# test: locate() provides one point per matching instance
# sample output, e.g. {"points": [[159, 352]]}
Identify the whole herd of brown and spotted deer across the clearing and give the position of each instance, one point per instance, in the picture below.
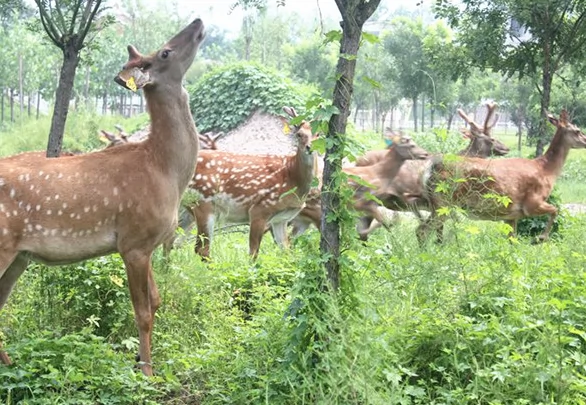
{"points": [[125, 198]]}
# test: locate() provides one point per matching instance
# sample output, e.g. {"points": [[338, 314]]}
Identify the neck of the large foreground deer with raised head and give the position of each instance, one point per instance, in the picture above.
{"points": [[176, 154]]}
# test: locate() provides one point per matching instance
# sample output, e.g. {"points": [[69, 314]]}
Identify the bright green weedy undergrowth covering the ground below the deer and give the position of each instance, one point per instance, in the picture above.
{"points": [[479, 320]]}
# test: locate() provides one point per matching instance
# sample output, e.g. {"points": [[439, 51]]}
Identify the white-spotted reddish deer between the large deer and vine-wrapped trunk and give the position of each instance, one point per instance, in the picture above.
{"points": [[258, 190]]}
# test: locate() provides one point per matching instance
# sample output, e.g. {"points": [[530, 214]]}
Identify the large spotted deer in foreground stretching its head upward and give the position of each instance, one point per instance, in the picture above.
{"points": [[59, 211]]}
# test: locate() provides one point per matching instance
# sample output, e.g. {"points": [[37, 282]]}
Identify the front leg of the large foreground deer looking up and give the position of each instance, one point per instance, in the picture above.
{"points": [[145, 300]]}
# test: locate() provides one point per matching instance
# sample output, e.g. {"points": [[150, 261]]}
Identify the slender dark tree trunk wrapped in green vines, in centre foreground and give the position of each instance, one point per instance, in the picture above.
{"points": [[354, 15]]}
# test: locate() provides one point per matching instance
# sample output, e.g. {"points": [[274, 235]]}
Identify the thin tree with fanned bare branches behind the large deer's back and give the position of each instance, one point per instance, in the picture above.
{"points": [[67, 24]]}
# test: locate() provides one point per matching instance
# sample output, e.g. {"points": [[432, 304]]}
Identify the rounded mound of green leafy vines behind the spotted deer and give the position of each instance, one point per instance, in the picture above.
{"points": [[224, 98]]}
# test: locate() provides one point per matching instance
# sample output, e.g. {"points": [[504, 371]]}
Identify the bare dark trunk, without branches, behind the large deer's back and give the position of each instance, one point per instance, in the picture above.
{"points": [[62, 97]]}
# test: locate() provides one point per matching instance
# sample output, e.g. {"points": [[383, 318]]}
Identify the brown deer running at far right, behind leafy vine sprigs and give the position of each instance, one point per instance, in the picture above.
{"points": [[502, 189]]}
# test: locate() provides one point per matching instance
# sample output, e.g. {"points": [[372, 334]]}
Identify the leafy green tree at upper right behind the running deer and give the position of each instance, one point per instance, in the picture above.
{"points": [[534, 38]]}
